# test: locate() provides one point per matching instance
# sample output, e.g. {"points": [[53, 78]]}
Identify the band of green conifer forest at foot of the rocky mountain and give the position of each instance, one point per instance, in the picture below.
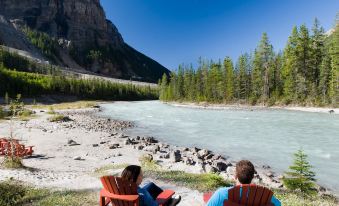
{"points": [[16, 77]]}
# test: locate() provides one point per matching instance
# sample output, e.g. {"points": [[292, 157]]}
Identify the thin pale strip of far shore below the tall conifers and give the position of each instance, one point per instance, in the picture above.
{"points": [[252, 107]]}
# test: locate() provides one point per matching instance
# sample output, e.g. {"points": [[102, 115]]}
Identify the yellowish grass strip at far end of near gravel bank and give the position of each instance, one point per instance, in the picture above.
{"points": [[67, 105]]}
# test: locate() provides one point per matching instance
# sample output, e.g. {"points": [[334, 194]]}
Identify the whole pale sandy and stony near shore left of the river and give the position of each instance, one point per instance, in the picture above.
{"points": [[100, 142]]}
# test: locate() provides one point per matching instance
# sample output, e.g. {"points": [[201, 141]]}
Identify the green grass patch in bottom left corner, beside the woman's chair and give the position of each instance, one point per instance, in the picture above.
{"points": [[14, 193]]}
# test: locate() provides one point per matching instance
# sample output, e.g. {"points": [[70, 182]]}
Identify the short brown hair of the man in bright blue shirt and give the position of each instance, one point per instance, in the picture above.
{"points": [[245, 171]]}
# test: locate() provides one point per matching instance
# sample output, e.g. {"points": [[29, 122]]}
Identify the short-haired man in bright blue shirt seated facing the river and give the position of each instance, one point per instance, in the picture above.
{"points": [[244, 175]]}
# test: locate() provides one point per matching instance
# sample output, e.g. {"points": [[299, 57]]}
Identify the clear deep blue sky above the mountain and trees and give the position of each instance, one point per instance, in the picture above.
{"points": [[180, 31]]}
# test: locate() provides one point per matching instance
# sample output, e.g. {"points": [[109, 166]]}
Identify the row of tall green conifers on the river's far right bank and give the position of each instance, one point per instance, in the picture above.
{"points": [[306, 72]]}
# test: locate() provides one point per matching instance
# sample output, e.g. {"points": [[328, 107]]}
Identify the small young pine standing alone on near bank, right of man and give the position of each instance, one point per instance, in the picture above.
{"points": [[300, 177]]}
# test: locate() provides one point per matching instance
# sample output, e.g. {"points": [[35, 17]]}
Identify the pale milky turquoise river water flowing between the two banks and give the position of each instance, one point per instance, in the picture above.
{"points": [[265, 136]]}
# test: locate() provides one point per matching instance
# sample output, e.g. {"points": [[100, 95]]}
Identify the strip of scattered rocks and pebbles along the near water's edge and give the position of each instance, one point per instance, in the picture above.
{"points": [[170, 157]]}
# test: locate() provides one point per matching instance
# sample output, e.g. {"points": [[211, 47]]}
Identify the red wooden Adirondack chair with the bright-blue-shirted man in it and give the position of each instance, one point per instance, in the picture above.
{"points": [[256, 196]]}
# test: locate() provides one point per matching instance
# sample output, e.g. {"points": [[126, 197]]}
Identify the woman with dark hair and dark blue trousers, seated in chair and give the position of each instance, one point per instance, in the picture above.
{"points": [[147, 193]]}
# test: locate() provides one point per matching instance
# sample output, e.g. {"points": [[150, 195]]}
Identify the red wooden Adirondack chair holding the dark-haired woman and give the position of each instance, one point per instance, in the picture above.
{"points": [[123, 193]]}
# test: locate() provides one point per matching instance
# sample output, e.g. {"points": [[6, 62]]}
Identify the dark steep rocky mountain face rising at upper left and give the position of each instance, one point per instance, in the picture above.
{"points": [[84, 36]]}
